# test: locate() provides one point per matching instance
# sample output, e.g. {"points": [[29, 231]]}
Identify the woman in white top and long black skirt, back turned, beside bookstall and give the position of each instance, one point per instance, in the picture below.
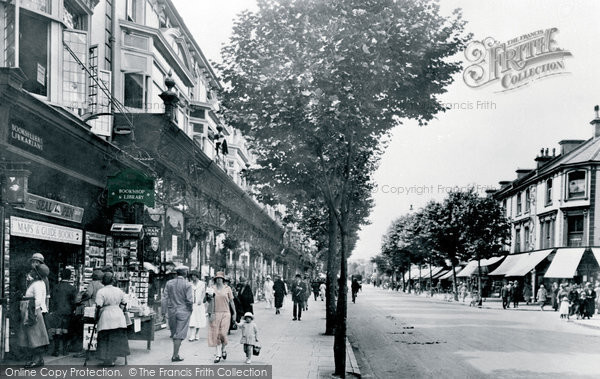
{"points": [[111, 325]]}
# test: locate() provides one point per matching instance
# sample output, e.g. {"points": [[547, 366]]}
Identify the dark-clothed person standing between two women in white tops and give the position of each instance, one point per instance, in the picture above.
{"points": [[62, 307]]}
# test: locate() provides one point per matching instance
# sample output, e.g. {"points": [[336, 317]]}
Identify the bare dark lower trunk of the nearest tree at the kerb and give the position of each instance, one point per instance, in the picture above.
{"points": [[339, 346]]}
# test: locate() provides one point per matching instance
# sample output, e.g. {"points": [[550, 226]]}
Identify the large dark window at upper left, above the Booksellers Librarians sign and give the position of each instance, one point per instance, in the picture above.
{"points": [[33, 53]]}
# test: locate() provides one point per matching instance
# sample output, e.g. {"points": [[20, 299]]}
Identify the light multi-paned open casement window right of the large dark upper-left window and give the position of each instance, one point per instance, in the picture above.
{"points": [[74, 77]]}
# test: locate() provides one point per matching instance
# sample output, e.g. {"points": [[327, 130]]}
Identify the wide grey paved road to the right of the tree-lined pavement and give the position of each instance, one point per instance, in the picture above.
{"points": [[404, 336]]}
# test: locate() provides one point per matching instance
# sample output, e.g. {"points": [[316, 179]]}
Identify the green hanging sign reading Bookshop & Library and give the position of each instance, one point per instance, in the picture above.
{"points": [[131, 187]]}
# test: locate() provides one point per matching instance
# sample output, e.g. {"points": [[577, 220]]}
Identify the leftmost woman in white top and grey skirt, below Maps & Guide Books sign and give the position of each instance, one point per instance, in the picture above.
{"points": [[32, 328]]}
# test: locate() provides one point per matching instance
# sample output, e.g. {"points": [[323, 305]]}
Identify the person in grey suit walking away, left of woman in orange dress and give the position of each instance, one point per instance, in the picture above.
{"points": [[177, 302]]}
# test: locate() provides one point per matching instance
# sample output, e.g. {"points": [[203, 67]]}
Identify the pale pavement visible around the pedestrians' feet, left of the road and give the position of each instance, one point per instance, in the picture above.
{"points": [[295, 349]]}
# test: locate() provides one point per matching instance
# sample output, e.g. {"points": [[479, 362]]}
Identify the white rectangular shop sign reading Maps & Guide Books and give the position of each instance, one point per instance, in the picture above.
{"points": [[22, 227]]}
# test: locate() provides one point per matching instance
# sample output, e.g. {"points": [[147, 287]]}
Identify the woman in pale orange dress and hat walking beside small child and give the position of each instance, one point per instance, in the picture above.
{"points": [[221, 311]]}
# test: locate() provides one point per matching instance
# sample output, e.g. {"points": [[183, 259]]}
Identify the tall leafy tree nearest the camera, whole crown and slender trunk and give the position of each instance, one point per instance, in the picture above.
{"points": [[318, 85]]}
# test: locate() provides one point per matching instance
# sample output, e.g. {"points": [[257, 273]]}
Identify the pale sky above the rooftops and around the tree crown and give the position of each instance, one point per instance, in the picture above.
{"points": [[488, 133]]}
